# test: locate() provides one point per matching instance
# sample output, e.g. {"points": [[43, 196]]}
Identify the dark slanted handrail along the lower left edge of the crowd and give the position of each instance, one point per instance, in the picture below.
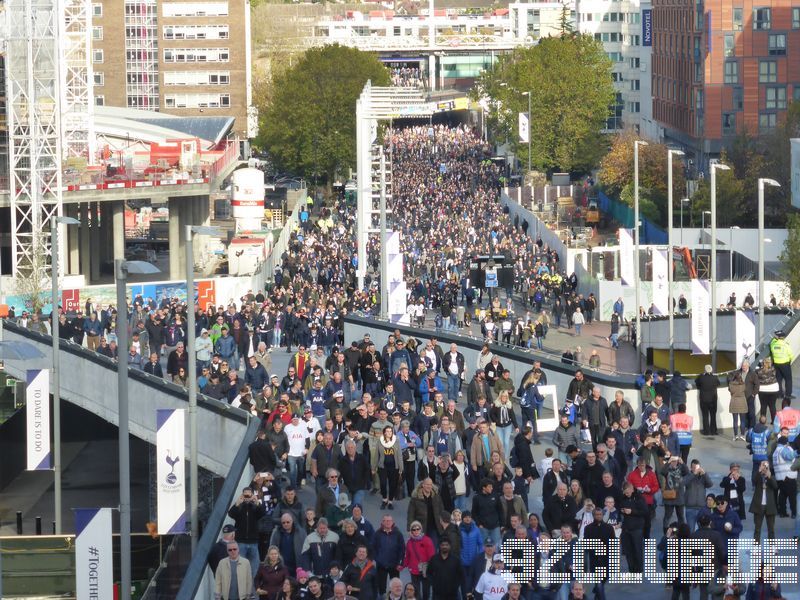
{"points": [[197, 567]]}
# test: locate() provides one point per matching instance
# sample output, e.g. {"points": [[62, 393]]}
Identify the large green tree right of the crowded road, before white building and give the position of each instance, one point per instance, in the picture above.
{"points": [[569, 78]]}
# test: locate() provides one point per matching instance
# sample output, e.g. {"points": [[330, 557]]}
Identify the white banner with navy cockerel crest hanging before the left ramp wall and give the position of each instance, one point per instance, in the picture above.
{"points": [[171, 470]]}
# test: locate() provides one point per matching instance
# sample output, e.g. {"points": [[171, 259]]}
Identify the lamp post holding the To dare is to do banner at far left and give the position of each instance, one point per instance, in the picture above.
{"points": [[54, 334]]}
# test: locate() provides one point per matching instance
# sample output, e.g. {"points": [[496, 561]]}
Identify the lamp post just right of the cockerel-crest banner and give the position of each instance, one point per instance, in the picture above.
{"points": [[191, 335]]}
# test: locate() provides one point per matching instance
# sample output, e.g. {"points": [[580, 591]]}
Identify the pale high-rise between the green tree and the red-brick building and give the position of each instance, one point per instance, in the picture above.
{"points": [[623, 29]]}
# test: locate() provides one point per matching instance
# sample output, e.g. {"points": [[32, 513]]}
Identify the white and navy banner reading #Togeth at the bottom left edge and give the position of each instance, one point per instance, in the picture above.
{"points": [[94, 556]]}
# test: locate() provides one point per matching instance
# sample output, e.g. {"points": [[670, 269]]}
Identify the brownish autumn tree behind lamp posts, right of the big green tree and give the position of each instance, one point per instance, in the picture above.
{"points": [[617, 173]]}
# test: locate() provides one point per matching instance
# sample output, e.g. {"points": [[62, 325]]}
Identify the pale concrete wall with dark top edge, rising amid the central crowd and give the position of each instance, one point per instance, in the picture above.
{"points": [[519, 360]]}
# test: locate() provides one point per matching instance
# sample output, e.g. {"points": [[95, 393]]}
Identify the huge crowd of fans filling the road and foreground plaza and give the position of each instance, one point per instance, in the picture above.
{"points": [[454, 446]]}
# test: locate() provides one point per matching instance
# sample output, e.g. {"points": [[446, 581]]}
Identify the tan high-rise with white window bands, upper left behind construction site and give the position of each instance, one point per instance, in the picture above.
{"points": [[177, 57]]}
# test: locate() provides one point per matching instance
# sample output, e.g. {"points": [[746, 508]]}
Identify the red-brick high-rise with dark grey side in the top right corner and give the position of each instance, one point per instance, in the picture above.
{"points": [[723, 65]]}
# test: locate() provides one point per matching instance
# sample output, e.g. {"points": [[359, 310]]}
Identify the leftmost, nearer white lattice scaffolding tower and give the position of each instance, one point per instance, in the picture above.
{"points": [[34, 129]]}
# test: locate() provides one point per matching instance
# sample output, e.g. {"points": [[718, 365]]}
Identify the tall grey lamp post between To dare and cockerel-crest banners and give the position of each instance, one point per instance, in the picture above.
{"points": [[121, 270]]}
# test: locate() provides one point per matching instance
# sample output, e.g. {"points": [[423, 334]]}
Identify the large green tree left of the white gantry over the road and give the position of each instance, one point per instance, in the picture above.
{"points": [[308, 123]]}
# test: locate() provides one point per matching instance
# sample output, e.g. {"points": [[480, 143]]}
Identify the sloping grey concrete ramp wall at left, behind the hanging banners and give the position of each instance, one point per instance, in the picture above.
{"points": [[90, 381]]}
